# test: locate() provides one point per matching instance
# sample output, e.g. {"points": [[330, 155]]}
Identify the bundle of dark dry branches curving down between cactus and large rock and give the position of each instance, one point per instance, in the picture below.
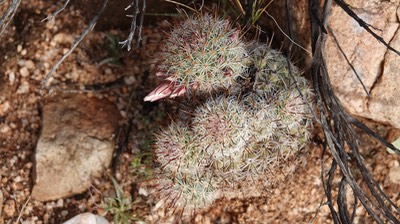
{"points": [[339, 133]]}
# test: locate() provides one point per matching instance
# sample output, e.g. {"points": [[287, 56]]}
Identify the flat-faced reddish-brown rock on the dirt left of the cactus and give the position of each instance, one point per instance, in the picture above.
{"points": [[75, 145]]}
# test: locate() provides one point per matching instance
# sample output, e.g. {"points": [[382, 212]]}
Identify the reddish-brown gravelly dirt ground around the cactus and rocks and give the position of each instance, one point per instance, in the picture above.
{"points": [[30, 48]]}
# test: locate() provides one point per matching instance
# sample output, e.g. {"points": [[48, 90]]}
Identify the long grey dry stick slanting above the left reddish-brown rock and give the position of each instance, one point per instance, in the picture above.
{"points": [[76, 43]]}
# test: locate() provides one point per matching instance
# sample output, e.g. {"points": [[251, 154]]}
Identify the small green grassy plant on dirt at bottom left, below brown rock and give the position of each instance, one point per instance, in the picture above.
{"points": [[120, 206]]}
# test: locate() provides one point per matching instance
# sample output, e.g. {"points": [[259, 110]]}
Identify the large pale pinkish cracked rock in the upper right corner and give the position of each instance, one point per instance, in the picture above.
{"points": [[377, 67]]}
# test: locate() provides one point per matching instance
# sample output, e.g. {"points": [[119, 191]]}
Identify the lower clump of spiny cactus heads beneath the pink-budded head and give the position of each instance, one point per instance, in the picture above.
{"points": [[231, 140]]}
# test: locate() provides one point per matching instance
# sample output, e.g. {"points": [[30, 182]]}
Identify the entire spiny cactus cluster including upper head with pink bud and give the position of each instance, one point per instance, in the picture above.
{"points": [[232, 137]]}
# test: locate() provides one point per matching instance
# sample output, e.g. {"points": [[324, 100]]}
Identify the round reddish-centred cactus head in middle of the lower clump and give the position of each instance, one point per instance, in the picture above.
{"points": [[222, 124]]}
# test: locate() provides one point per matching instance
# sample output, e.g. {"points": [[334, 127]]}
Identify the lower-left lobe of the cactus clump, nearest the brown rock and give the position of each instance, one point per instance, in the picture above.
{"points": [[185, 181]]}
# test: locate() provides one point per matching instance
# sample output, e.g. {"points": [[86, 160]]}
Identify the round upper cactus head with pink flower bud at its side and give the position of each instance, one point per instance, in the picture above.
{"points": [[204, 53]]}
